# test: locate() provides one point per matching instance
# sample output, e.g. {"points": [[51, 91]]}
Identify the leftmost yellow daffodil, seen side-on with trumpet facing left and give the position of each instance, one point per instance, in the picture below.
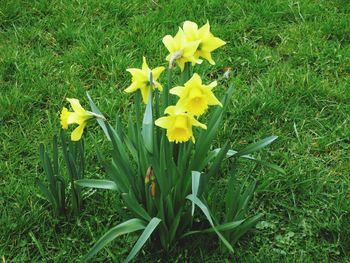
{"points": [[79, 116]]}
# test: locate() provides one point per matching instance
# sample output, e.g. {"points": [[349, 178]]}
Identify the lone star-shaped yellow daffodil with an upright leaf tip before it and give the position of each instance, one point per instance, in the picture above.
{"points": [[142, 78]]}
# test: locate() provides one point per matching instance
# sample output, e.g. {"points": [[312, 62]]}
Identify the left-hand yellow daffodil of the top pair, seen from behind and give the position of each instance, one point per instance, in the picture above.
{"points": [[180, 49]]}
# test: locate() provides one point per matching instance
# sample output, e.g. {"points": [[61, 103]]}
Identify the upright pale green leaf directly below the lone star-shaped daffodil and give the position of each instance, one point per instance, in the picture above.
{"points": [[147, 125]]}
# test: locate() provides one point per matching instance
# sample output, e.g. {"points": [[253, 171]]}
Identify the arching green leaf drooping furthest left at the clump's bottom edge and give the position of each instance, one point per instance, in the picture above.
{"points": [[129, 226]]}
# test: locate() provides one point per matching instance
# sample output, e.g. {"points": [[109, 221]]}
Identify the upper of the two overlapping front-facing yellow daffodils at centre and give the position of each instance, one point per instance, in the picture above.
{"points": [[195, 97]]}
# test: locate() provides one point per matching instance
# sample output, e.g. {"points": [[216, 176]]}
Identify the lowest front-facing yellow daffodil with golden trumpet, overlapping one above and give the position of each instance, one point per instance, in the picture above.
{"points": [[178, 124]]}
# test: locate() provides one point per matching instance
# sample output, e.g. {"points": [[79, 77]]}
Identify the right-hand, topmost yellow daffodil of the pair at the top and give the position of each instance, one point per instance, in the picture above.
{"points": [[208, 42]]}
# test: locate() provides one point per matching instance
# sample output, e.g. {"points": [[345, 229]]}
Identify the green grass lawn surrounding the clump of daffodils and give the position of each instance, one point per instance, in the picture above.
{"points": [[291, 65]]}
